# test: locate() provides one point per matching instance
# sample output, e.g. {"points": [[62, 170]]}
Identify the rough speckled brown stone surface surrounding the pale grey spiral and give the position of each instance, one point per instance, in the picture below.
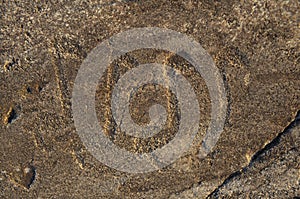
{"points": [[254, 44]]}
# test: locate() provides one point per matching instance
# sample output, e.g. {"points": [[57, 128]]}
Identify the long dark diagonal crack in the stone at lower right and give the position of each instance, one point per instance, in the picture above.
{"points": [[256, 157]]}
